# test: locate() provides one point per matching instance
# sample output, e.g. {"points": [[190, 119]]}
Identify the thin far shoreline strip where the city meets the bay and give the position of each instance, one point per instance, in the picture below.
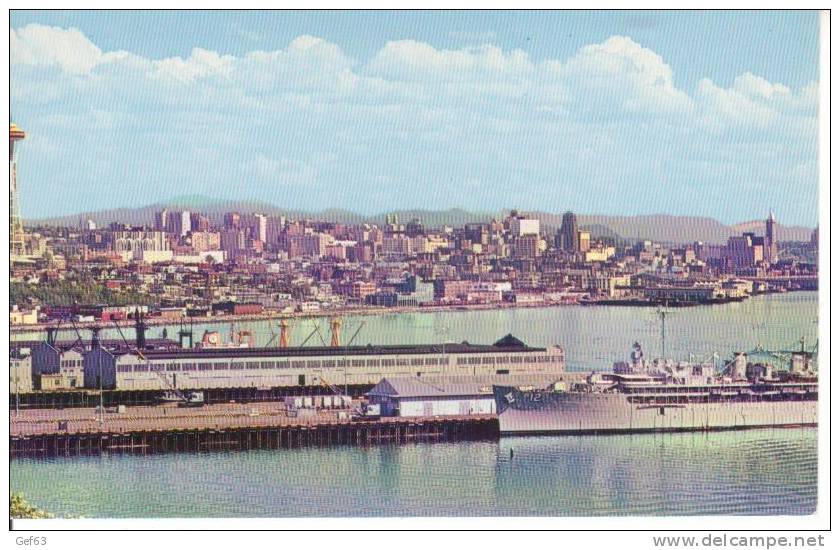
{"points": [[343, 312]]}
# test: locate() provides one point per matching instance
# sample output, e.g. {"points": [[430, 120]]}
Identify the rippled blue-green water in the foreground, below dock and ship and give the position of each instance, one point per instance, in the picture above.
{"points": [[760, 472]]}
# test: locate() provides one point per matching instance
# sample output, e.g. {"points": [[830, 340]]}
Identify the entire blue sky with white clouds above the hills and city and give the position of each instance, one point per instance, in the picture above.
{"points": [[622, 113]]}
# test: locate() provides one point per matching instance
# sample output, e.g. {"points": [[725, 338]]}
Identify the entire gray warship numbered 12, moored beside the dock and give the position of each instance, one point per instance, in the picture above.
{"points": [[666, 396]]}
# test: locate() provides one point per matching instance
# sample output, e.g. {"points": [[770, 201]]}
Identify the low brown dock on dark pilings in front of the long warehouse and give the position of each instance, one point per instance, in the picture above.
{"points": [[148, 430]]}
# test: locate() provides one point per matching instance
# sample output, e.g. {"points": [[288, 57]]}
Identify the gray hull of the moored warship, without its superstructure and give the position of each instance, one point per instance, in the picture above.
{"points": [[546, 412]]}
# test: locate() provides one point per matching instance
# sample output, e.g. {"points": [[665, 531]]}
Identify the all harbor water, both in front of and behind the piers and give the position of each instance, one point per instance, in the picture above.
{"points": [[764, 472]]}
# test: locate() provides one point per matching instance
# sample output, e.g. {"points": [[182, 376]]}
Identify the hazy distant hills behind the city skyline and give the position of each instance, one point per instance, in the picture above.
{"points": [[658, 227]]}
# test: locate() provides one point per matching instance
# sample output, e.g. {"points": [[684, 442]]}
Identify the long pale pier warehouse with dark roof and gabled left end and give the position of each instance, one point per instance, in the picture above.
{"points": [[79, 374]]}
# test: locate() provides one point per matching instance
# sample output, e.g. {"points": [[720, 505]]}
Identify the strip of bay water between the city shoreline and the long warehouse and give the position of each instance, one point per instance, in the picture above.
{"points": [[594, 336]]}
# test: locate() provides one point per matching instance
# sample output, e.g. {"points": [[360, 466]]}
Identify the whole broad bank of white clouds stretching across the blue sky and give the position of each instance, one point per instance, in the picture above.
{"points": [[450, 115]]}
